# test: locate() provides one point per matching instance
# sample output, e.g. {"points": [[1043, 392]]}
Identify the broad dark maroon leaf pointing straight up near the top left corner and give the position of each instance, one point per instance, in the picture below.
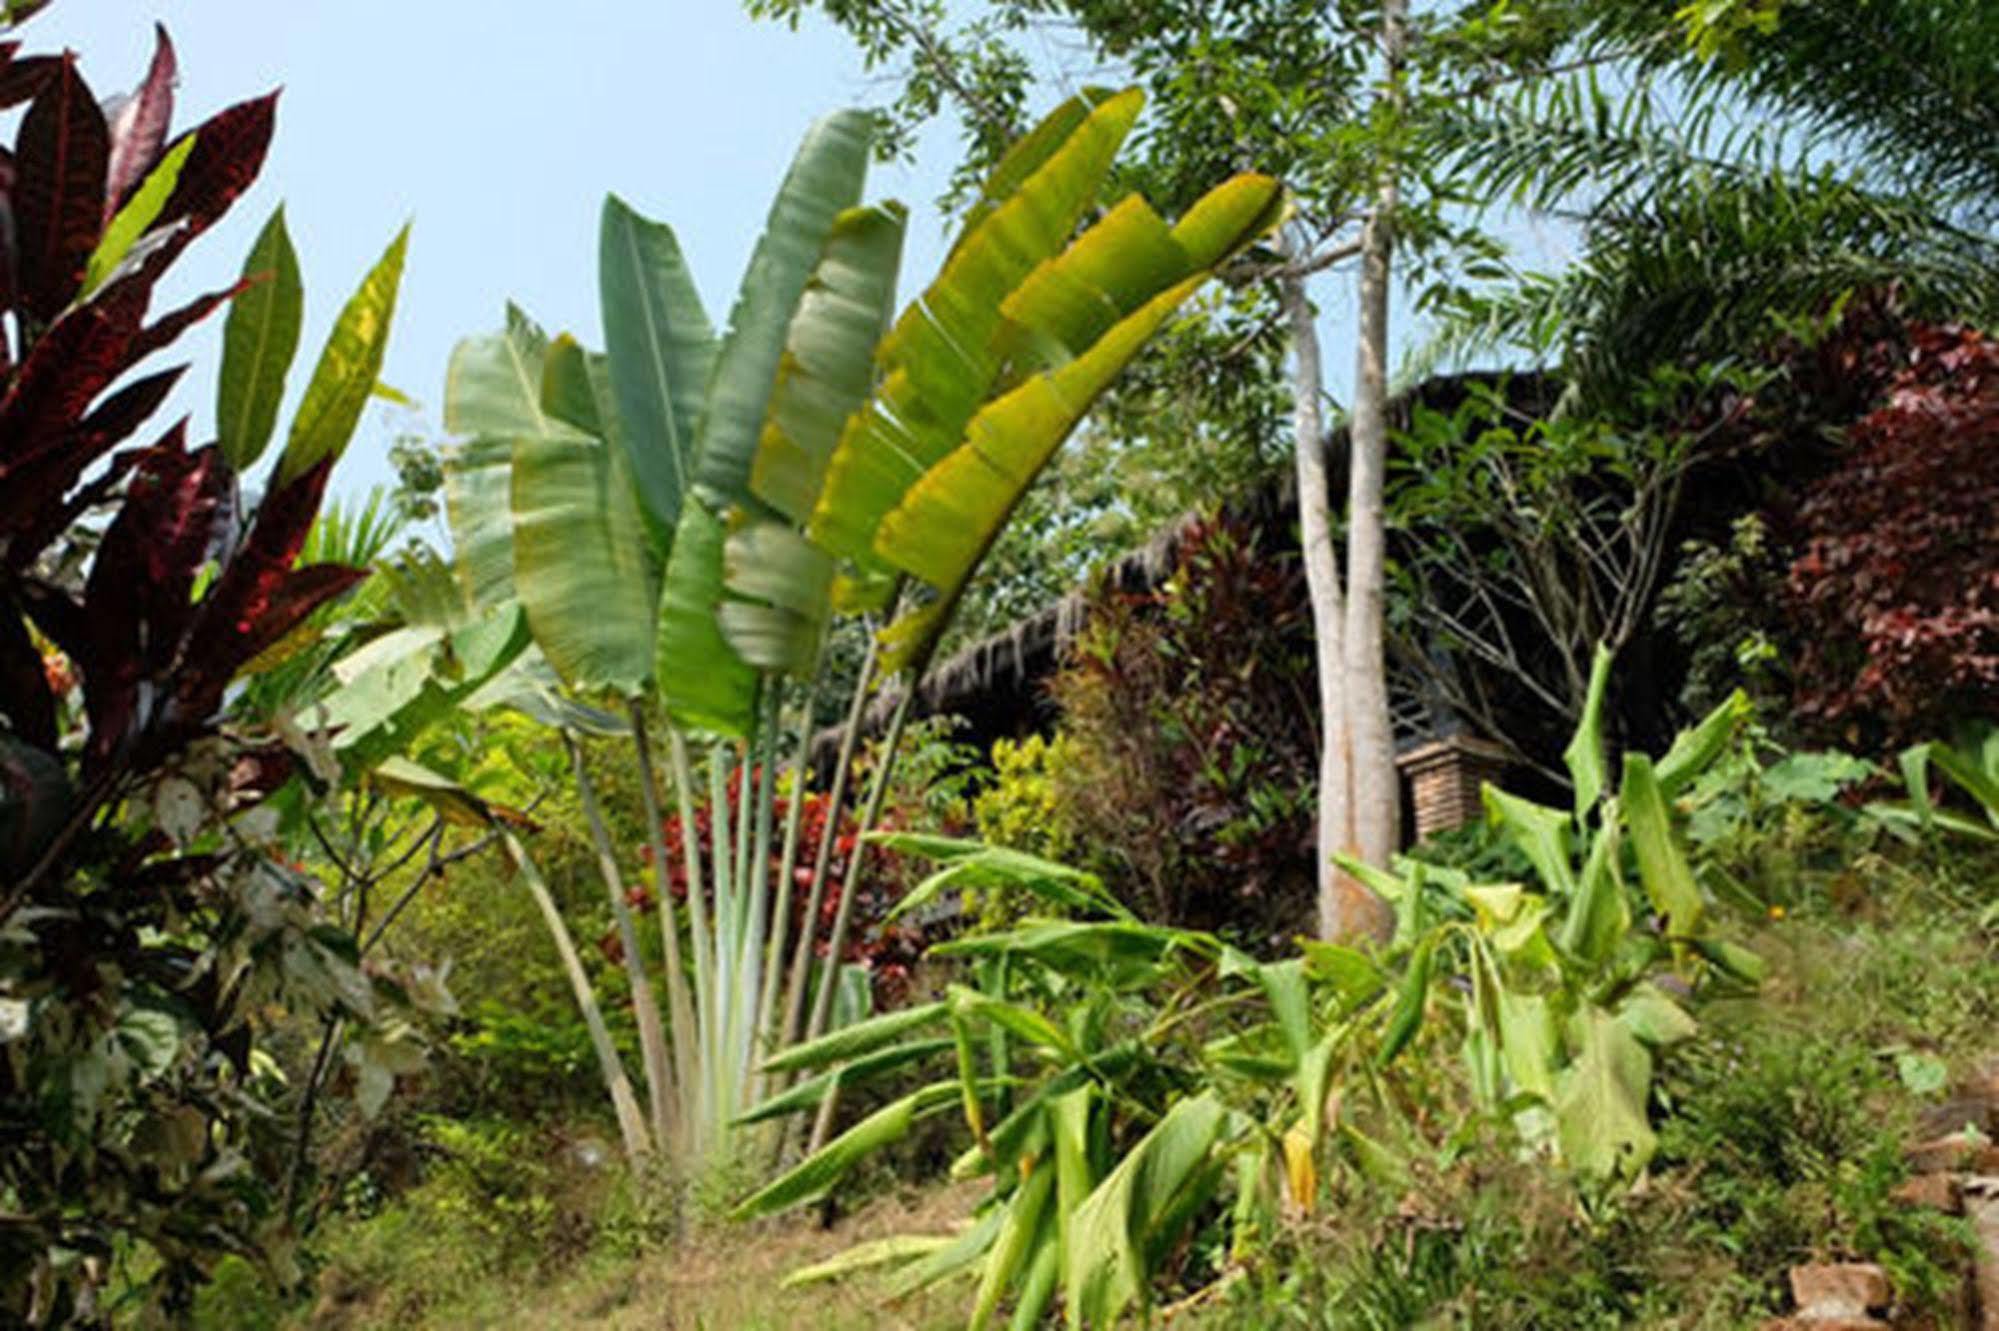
{"points": [[59, 201]]}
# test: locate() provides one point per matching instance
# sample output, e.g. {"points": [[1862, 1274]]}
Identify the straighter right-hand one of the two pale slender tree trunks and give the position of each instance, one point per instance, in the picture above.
{"points": [[1372, 742]]}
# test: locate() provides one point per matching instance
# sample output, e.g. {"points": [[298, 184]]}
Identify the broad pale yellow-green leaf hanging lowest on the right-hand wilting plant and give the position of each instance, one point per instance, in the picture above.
{"points": [[1600, 1104]]}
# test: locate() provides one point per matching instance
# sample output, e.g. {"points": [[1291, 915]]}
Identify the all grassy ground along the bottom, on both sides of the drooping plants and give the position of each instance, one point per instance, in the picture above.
{"points": [[1780, 1142]]}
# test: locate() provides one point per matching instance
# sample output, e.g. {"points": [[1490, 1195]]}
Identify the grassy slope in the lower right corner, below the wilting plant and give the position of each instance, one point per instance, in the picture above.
{"points": [[1782, 1132]]}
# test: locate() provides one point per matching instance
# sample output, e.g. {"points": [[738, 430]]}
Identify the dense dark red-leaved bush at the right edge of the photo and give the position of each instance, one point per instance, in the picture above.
{"points": [[1896, 583]]}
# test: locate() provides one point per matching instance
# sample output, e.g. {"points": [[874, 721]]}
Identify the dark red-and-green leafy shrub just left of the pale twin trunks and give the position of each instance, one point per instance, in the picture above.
{"points": [[1186, 740]]}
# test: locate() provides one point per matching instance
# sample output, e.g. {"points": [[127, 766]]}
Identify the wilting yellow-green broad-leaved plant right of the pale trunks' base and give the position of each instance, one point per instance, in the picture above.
{"points": [[1576, 980]]}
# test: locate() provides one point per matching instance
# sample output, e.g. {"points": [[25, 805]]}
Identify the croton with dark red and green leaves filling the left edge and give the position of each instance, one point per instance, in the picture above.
{"points": [[147, 926]]}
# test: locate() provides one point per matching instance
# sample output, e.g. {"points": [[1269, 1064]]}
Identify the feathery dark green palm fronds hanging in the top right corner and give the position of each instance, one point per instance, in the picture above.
{"points": [[1716, 197]]}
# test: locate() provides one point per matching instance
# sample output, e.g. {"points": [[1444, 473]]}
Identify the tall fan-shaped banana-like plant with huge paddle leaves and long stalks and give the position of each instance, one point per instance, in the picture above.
{"points": [[683, 517]]}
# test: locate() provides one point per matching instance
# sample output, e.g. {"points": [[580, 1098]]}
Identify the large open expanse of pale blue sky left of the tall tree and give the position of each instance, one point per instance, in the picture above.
{"points": [[497, 129]]}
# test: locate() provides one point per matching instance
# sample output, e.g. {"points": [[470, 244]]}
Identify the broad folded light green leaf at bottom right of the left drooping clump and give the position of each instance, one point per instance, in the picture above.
{"points": [[1114, 1228]]}
